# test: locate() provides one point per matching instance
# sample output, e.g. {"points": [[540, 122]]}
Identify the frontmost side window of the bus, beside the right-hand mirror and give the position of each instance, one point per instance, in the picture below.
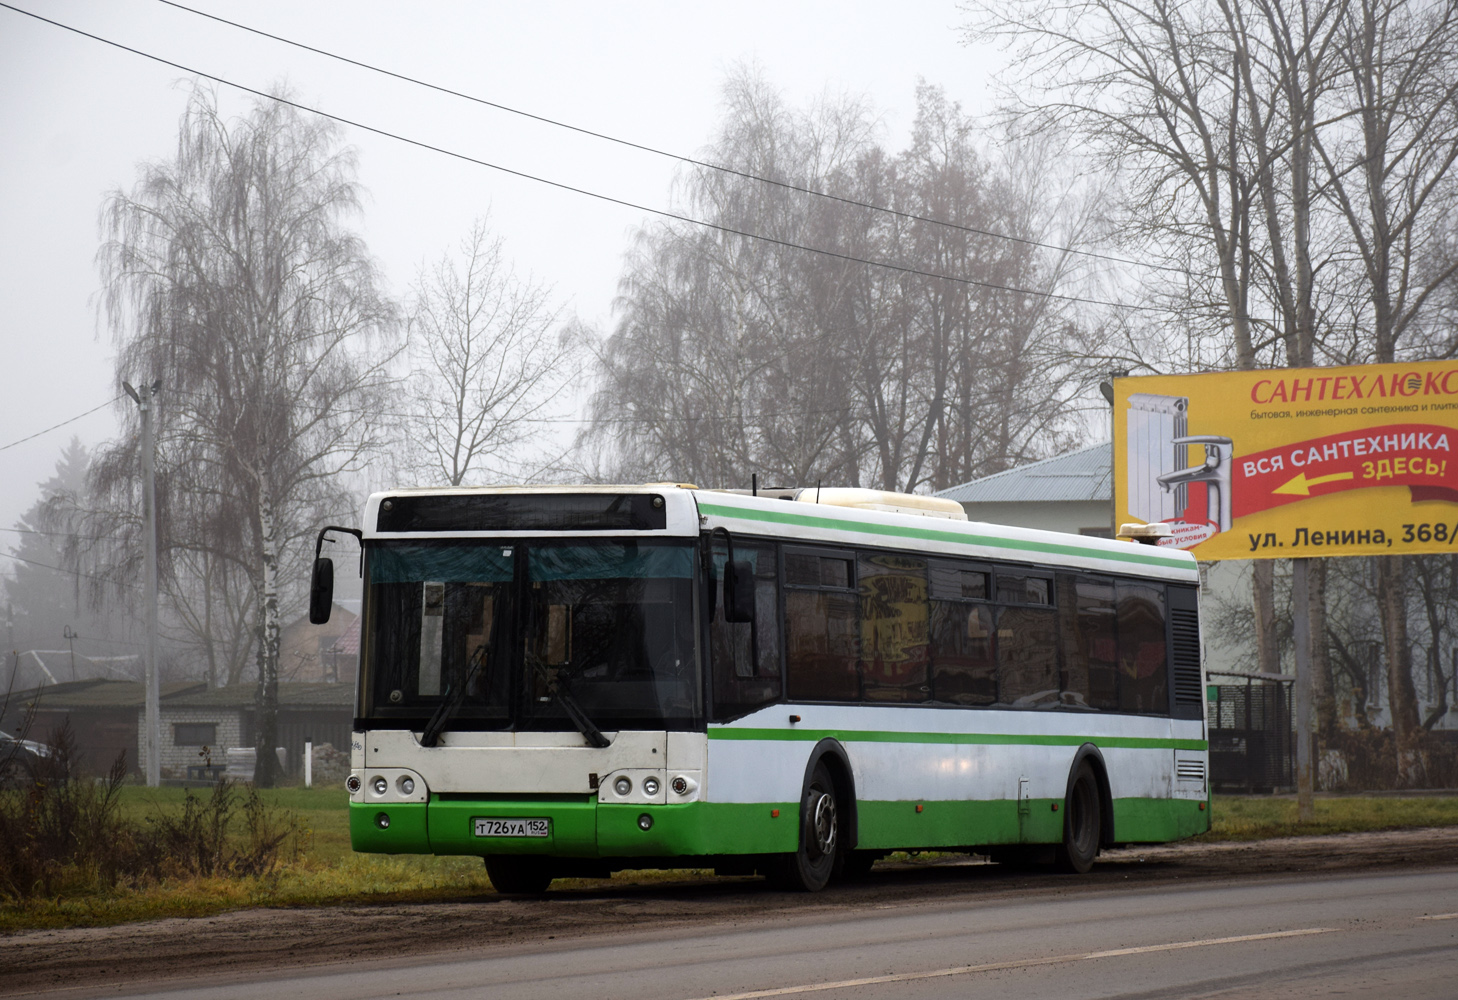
{"points": [[746, 657]]}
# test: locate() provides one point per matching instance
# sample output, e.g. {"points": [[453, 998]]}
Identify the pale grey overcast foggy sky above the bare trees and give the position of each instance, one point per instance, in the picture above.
{"points": [[78, 117]]}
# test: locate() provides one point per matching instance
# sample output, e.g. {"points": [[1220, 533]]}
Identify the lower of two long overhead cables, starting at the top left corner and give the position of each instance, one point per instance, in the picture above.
{"points": [[562, 186]]}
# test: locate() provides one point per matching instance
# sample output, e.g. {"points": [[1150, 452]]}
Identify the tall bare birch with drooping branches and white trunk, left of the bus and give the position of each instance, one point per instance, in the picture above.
{"points": [[228, 276]]}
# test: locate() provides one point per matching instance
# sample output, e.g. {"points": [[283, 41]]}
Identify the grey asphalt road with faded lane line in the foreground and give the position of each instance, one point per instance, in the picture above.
{"points": [[1390, 935]]}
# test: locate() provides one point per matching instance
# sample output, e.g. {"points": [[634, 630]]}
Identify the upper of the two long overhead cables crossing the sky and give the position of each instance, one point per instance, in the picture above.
{"points": [[682, 158]]}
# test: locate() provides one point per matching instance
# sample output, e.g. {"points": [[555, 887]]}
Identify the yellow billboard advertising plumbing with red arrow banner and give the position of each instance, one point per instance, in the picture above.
{"points": [[1291, 463]]}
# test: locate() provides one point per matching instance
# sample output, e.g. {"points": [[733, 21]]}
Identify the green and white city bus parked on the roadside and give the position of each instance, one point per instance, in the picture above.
{"points": [[582, 680]]}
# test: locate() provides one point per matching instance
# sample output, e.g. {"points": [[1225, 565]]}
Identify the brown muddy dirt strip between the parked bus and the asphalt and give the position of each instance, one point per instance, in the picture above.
{"points": [[257, 940]]}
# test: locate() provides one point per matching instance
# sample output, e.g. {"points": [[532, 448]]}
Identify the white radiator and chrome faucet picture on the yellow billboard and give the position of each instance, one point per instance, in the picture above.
{"points": [[1161, 483]]}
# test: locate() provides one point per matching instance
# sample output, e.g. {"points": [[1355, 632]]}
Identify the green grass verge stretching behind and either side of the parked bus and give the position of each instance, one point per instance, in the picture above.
{"points": [[327, 872]]}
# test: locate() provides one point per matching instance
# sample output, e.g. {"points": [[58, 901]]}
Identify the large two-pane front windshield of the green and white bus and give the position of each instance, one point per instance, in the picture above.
{"points": [[604, 626]]}
